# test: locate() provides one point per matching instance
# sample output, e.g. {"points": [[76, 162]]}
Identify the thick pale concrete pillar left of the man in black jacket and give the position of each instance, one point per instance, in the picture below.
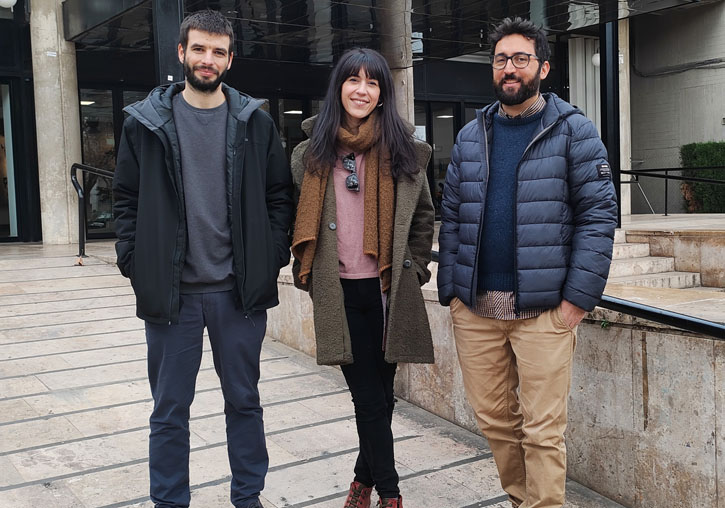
{"points": [[57, 121]]}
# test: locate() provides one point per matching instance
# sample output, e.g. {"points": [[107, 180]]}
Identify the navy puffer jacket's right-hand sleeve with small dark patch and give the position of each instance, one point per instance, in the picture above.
{"points": [[593, 201]]}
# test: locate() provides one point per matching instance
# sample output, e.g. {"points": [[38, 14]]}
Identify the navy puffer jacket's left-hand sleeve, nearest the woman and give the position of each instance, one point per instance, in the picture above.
{"points": [[448, 239]]}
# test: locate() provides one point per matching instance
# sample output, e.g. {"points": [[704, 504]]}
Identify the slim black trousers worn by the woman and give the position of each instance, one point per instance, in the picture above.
{"points": [[370, 379]]}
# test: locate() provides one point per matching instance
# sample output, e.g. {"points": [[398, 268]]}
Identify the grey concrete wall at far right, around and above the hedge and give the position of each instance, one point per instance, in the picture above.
{"points": [[675, 109]]}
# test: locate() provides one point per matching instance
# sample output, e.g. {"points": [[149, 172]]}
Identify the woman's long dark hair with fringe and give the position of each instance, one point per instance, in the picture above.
{"points": [[322, 151]]}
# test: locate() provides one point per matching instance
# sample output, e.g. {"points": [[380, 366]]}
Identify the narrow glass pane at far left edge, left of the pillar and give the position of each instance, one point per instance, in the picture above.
{"points": [[8, 210]]}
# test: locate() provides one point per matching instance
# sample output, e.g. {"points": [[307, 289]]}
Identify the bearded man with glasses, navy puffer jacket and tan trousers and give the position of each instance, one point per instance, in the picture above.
{"points": [[527, 227]]}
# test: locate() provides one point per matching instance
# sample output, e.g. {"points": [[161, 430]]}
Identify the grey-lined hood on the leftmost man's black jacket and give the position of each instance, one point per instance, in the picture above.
{"points": [[155, 110]]}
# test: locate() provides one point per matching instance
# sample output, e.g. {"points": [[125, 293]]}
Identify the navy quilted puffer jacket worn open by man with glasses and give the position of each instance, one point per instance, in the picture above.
{"points": [[565, 213]]}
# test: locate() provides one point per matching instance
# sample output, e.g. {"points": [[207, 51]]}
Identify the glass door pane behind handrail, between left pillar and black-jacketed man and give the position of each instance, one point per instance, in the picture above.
{"points": [[98, 151]]}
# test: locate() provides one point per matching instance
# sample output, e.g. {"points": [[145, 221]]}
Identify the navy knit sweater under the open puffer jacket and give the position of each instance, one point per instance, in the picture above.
{"points": [[511, 136]]}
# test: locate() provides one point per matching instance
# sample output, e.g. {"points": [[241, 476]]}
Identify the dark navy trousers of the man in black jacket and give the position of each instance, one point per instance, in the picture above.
{"points": [[174, 357]]}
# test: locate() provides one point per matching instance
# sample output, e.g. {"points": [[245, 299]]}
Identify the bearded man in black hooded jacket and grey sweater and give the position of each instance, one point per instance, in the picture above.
{"points": [[203, 206]]}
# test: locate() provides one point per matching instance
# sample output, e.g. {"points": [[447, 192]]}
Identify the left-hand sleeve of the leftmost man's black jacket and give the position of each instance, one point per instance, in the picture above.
{"points": [[125, 198]]}
